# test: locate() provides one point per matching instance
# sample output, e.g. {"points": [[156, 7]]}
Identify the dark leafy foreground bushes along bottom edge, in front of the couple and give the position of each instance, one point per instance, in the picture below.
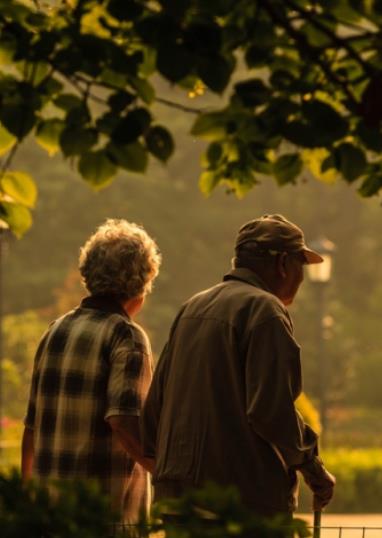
{"points": [[77, 510]]}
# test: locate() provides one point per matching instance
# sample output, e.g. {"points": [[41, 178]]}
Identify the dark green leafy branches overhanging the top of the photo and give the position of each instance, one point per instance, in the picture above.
{"points": [[78, 76]]}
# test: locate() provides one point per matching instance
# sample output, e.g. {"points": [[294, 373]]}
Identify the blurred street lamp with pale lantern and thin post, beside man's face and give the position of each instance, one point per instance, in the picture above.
{"points": [[320, 274]]}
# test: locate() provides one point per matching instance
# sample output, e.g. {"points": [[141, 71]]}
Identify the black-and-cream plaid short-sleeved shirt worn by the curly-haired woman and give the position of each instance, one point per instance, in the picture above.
{"points": [[91, 364]]}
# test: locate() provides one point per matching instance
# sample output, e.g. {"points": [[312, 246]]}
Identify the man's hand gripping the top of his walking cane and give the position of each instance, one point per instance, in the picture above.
{"points": [[320, 481]]}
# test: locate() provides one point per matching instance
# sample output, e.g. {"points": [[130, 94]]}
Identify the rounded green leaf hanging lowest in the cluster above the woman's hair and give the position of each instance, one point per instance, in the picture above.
{"points": [[96, 168]]}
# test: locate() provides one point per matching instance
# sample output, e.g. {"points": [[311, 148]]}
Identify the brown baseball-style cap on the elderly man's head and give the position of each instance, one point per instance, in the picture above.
{"points": [[272, 234]]}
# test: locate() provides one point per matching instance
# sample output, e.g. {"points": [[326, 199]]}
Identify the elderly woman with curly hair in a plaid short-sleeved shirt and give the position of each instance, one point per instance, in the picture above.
{"points": [[92, 371]]}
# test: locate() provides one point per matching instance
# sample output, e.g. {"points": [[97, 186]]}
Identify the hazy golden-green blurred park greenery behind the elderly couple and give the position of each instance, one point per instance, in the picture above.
{"points": [[196, 235]]}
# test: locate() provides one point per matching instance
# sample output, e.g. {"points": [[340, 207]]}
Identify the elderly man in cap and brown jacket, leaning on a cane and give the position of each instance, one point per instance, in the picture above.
{"points": [[221, 405]]}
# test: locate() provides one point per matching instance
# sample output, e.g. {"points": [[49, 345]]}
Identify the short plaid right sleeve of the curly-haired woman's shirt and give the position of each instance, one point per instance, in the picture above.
{"points": [[130, 374]]}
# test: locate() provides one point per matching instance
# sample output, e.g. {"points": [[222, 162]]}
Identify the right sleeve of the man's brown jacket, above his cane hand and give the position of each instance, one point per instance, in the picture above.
{"points": [[273, 382]]}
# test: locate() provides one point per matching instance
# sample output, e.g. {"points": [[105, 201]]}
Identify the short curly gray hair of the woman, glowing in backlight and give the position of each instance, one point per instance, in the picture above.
{"points": [[119, 259]]}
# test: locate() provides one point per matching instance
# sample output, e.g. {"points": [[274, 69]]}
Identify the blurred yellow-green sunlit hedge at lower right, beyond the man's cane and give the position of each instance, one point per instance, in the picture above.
{"points": [[359, 481]]}
